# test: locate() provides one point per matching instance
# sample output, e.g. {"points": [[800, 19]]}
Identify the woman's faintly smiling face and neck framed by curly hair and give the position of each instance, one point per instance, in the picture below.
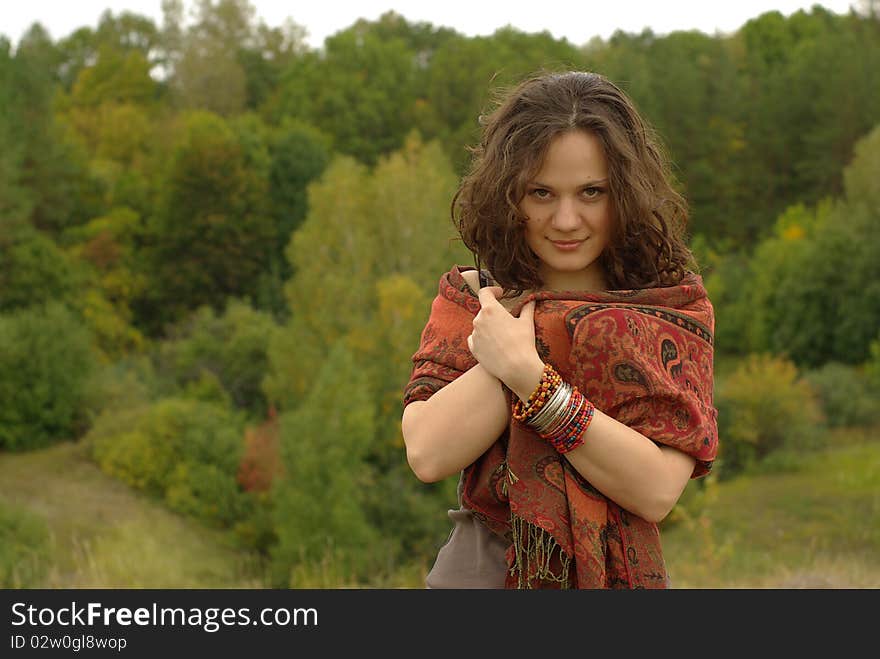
{"points": [[569, 213]]}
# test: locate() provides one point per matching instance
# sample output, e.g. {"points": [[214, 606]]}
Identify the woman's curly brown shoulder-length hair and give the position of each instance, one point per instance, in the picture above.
{"points": [[647, 247]]}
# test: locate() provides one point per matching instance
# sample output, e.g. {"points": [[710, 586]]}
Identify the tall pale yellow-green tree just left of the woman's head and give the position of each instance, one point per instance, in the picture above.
{"points": [[361, 227]]}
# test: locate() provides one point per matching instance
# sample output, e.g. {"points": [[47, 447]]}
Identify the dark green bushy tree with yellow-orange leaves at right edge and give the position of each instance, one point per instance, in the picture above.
{"points": [[813, 293]]}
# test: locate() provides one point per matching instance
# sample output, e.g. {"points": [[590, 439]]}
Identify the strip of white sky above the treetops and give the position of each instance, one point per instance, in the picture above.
{"points": [[576, 20]]}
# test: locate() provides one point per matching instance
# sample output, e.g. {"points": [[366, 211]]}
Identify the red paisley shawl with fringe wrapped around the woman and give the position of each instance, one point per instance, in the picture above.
{"points": [[645, 358]]}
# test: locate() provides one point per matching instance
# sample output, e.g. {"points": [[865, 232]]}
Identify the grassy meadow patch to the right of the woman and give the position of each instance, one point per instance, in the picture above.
{"points": [[816, 526]]}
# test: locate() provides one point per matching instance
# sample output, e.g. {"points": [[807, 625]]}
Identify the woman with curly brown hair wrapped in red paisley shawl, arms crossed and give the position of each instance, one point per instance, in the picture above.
{"points": [[574, 395]]}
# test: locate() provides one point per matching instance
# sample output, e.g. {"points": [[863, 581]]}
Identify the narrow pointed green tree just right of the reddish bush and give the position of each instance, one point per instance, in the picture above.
{"points": [[318, 508]]}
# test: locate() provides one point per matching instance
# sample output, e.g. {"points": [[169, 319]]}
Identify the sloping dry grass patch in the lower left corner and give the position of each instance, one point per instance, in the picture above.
{"points": [[106, 535]]}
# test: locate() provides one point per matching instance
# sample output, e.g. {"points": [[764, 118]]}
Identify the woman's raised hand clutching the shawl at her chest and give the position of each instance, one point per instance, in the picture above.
{"points": [[505, 345]]}
